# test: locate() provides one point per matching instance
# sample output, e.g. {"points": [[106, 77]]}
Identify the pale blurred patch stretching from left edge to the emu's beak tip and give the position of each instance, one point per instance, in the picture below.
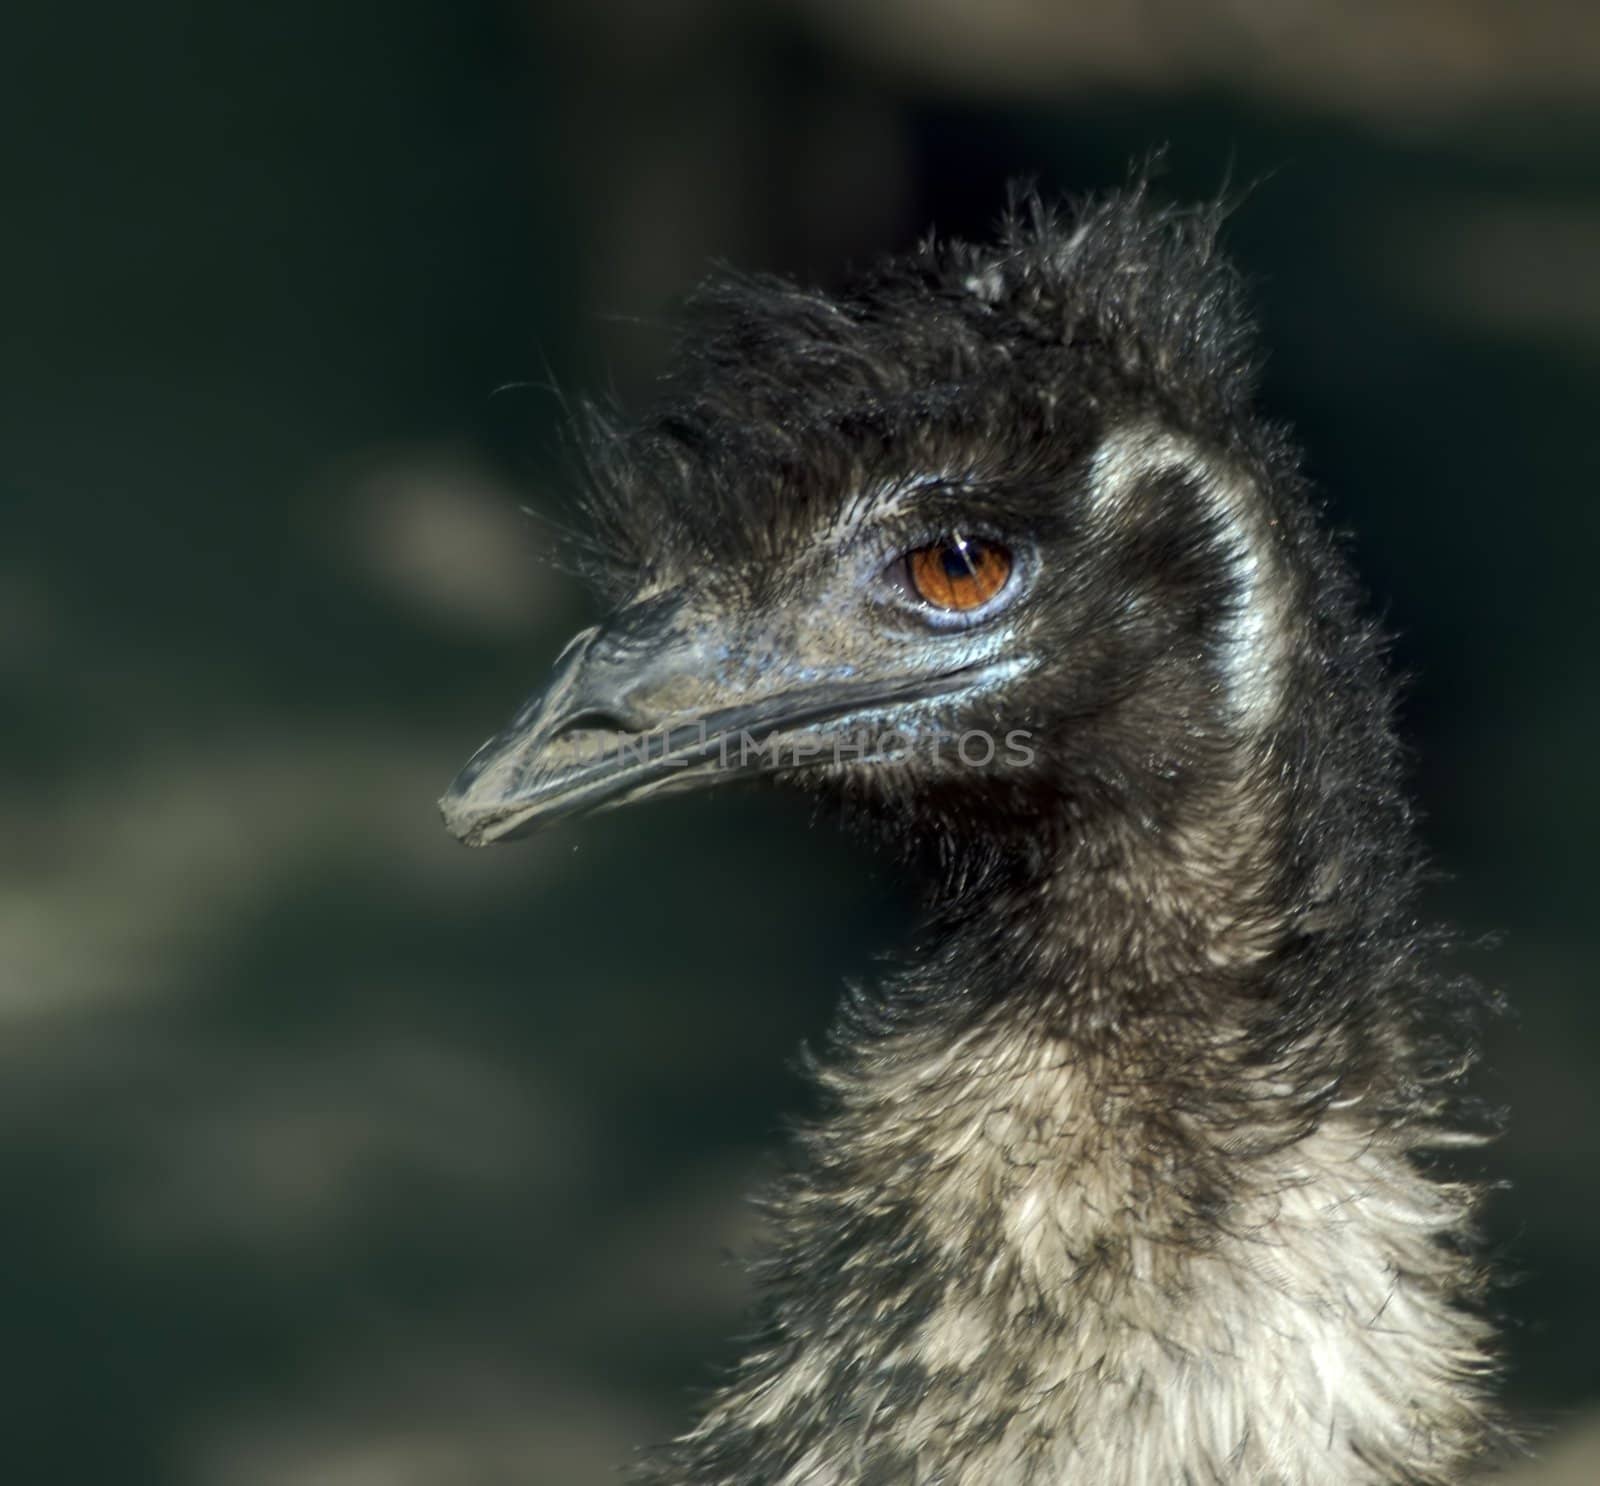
{"points": [[118, 892]]}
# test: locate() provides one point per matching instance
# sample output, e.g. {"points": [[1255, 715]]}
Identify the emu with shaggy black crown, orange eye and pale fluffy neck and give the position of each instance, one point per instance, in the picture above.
{"points": [[1126, 1175]]}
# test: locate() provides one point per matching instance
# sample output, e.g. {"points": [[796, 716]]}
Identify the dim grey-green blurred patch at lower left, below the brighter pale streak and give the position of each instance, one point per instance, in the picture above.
{"points": [[295, 1156]]}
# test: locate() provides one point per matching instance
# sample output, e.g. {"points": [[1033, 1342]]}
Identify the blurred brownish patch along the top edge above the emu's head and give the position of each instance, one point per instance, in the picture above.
{"points": [[1393, 62]]}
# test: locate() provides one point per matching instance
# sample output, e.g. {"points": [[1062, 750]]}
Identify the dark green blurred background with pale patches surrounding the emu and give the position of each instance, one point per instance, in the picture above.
{"points": [[337, 1156]]}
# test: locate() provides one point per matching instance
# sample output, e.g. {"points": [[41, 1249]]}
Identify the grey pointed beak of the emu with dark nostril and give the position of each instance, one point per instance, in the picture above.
{"points": [[646, 705]]}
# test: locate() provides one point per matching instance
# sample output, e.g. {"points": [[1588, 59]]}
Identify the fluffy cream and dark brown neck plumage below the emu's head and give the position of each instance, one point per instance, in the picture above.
{"points": [[1106, 1213]]}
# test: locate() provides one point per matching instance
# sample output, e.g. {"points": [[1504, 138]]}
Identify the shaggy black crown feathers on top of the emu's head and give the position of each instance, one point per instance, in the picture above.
{"points": [[788, 397]]}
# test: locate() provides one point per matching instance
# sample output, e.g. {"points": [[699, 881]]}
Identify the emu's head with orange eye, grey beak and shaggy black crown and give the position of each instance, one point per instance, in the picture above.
{"points": [[980, 546]]}
